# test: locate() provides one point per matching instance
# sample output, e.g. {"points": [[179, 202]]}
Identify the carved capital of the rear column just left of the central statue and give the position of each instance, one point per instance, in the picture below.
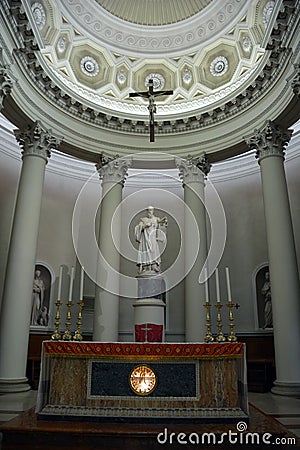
{"points": [[112, 169]]}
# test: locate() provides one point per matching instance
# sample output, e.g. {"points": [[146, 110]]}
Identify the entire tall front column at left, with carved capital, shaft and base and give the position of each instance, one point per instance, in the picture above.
{"points": [[17, 294]]}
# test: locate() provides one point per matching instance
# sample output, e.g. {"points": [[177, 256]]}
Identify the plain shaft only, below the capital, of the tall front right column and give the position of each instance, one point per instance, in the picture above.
{"points": [[283, 270]]}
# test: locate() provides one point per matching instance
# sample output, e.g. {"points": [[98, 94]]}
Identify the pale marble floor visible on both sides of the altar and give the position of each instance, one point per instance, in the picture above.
{"points": [[285, 410]]}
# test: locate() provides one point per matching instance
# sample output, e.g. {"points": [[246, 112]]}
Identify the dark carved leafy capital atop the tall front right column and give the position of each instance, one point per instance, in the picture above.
{"points": [[270, 140]]}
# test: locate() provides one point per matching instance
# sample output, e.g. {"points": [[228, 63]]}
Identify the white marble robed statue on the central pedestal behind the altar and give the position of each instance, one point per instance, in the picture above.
{"points": [[148, 234]]}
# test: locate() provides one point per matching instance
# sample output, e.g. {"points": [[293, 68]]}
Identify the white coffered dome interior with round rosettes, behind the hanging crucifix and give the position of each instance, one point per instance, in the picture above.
{"points": [[99, 50]]}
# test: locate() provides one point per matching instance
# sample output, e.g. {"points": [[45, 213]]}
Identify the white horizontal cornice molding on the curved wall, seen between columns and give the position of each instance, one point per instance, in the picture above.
{"points": [[69, 167]]}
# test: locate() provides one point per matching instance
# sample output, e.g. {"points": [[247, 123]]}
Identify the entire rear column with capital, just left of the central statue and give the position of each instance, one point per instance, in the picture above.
{"points": [[106, 314]]}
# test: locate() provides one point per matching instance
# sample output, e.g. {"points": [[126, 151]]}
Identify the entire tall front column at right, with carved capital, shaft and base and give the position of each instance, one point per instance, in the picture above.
{"points": [[270, 143]]}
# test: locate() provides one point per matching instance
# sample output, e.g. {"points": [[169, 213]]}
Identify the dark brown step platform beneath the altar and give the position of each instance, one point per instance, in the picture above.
{"points": [[26, 432]]}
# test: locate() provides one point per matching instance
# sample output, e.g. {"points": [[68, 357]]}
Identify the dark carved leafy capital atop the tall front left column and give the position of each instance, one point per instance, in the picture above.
{"points": [[35, 141]]}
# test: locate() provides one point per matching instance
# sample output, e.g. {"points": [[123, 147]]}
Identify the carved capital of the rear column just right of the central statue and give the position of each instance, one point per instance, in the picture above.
{"points": [[193, 170]]}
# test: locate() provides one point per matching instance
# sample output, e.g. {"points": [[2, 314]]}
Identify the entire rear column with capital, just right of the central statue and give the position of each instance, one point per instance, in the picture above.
{"points": [[193, 172]]}
